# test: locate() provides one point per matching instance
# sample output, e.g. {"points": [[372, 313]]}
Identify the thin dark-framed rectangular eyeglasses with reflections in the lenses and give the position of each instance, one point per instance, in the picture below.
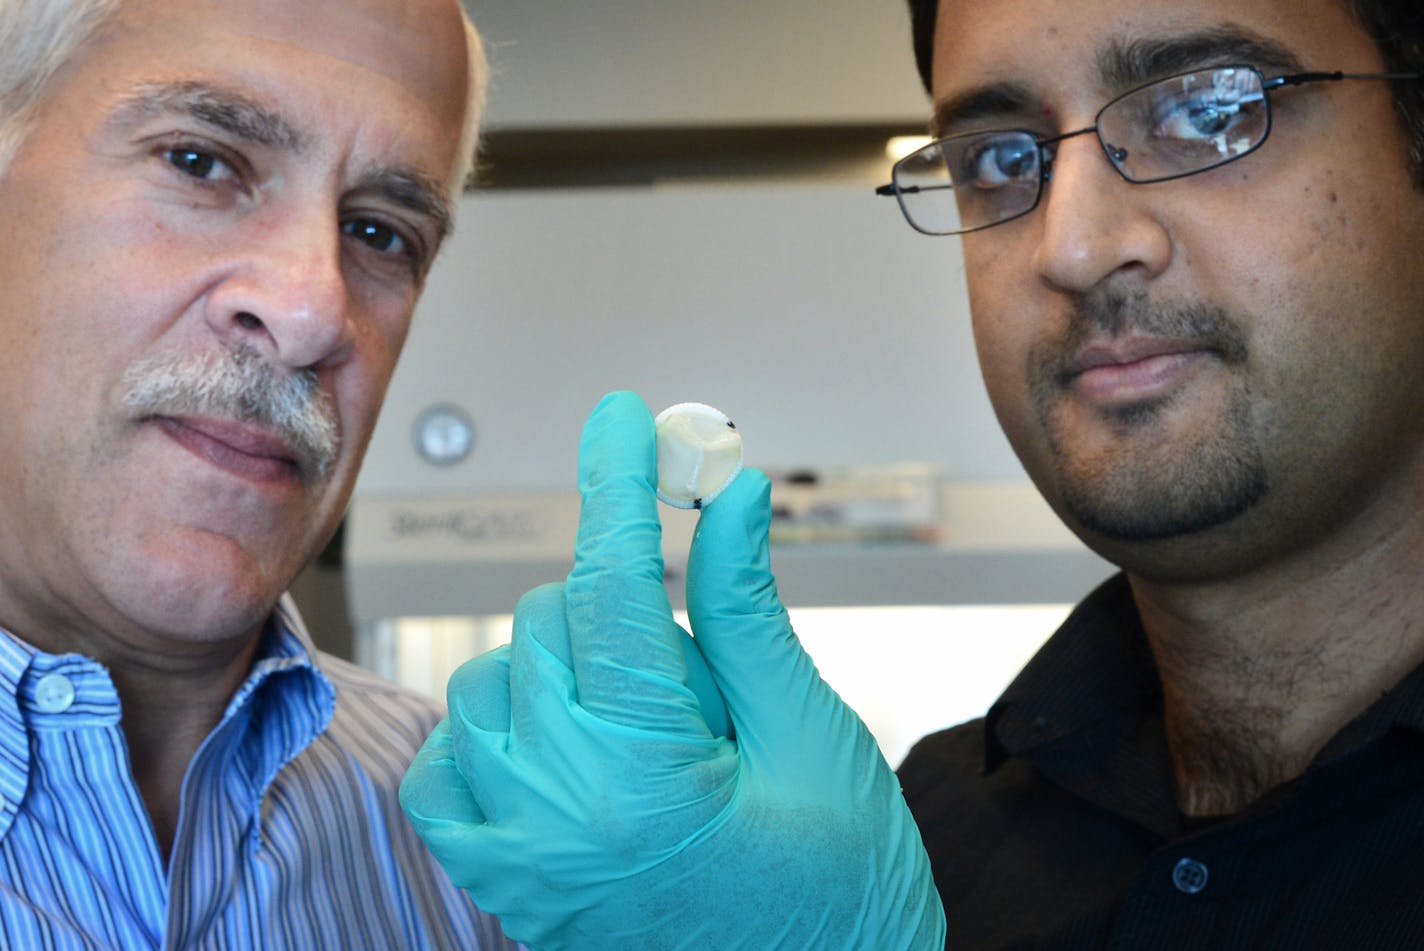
{"points": [[1170, 129]]}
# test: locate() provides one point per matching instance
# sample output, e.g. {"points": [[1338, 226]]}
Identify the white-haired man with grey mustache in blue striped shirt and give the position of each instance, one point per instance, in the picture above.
{"points": [[221, 214]]}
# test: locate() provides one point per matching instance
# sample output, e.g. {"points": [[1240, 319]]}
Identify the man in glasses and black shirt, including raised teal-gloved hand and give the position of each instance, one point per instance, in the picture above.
{"points": [[1191, 237]]}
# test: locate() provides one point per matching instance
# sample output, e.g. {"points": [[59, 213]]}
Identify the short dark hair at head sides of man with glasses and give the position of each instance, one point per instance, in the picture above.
{"points": [[1396, 26]]}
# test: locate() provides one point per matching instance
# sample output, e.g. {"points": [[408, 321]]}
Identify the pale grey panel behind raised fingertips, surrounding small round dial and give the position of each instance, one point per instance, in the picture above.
{"points": [[812, 314]]}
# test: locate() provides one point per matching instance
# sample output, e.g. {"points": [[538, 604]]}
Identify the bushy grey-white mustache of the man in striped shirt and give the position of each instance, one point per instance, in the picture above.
{"points": [[240, 385]]}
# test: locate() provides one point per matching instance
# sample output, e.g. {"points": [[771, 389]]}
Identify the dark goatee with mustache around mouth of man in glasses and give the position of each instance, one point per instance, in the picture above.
{"points": [[1151, 480]]}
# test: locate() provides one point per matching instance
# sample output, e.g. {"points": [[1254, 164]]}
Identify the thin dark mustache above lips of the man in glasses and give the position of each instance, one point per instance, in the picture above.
{"points": [[1119, 314]]}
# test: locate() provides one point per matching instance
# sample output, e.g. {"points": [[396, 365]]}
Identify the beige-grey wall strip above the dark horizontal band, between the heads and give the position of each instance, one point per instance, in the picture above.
{"points": [[599, 63]]}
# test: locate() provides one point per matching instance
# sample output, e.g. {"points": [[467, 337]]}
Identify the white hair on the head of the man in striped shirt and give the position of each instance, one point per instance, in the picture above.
{"points": [[39, 36]]}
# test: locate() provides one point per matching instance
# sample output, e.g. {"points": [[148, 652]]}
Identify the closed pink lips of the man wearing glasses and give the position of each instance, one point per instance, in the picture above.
{"points": [[1134, 369]]}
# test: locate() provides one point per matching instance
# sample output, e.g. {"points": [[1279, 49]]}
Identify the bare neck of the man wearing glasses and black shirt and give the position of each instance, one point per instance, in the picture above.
{"points": [[1260, 674]]}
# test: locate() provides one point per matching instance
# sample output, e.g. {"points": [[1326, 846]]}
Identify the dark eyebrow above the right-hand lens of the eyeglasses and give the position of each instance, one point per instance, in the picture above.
{"points": [[1126, 66]]}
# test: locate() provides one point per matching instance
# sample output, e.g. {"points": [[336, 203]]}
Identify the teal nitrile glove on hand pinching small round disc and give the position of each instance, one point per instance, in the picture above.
{"points": [[577, 792]]}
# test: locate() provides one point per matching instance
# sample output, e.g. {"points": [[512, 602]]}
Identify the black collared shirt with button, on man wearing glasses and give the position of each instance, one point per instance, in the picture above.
{"points": [[1053, 822]]}
